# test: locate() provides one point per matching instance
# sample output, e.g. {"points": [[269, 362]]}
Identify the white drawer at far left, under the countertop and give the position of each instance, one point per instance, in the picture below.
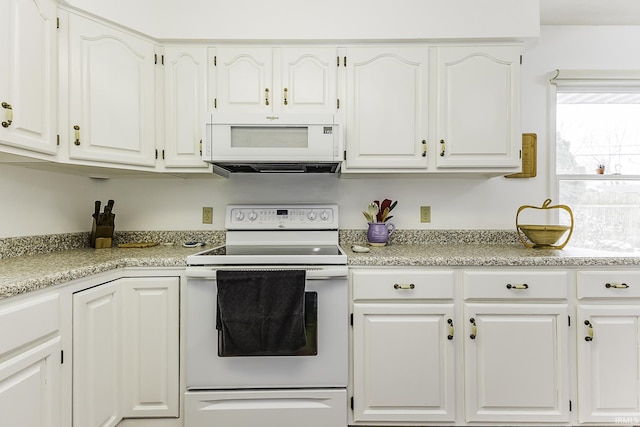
{"points": [[26, 320]]}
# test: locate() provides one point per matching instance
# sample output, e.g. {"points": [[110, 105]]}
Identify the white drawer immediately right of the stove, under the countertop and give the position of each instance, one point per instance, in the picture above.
{"points": [[402, 284]]}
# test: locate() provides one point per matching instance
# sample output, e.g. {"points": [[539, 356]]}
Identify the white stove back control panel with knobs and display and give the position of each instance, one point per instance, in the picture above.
{"points": [[277, 217]]}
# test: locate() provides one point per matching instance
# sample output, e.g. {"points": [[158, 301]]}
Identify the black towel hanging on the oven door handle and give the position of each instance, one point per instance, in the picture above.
{"points": [[261, 312]]}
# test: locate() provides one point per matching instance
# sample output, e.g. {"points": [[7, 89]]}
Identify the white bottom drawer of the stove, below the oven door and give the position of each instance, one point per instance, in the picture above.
{"points": [[272, 408]]}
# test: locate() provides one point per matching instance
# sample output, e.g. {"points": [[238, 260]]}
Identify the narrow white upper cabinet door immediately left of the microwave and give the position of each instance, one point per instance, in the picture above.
{"points": [[185, 97]]}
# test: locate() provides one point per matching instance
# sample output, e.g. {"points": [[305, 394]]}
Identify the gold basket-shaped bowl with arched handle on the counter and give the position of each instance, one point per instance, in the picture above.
{"points": [[544, 236]]}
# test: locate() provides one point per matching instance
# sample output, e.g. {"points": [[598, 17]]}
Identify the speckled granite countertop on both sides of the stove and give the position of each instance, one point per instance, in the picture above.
{"points": [[33, 271]]}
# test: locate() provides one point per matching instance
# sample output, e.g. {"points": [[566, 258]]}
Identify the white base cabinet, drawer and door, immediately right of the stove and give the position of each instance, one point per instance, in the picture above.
{"points": [[403, 346]]}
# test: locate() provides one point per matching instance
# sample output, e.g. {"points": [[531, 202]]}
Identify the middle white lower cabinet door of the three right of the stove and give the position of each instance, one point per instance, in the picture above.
{"points": [[516, 362]]}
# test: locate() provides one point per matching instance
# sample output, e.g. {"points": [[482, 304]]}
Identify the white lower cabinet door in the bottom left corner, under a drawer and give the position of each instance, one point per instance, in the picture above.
{"points": [[30, 387]]}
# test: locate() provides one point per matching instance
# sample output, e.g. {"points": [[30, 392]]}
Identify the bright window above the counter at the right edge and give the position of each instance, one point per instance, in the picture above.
{"points": [[597, 157]]}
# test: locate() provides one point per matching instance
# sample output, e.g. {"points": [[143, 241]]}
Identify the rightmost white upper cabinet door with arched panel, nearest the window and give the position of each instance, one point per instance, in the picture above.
{"points": [[478, 107]]}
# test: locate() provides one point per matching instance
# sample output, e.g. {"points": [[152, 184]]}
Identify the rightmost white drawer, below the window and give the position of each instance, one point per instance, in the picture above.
{"points": [[608, 284]]}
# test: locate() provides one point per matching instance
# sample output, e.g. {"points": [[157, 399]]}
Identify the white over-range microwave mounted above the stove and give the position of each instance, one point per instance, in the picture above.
{"points": [[272, 143]]}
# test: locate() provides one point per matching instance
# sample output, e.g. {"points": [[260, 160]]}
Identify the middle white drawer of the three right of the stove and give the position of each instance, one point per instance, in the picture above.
{"points": [[516, 284]]}
